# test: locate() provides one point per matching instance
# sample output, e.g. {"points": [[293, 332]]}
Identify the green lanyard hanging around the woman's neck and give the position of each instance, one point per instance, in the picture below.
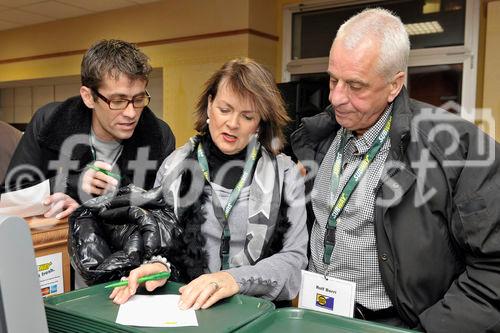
{"points": [[235, 193]]}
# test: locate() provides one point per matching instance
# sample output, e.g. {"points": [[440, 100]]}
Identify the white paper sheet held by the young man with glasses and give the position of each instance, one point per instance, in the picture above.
{"points": [[26, 202]]}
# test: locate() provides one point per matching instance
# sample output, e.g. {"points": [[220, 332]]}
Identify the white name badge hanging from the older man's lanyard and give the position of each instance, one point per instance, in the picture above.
{"points": [[334, 296]]}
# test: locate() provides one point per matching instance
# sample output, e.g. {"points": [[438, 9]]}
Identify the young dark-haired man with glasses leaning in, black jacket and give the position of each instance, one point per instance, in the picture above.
{"points": [[91, 144]]}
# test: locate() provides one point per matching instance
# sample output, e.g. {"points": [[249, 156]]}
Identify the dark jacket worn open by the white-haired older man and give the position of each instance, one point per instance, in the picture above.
{"points": [[438, 238]]}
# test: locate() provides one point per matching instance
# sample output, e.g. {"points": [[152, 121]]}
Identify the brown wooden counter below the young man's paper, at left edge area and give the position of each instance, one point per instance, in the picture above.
{"points": [[50, 236]]}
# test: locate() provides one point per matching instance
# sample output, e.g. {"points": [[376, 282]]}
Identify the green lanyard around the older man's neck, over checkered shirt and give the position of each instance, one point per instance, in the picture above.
{"points": [[352, 183]]}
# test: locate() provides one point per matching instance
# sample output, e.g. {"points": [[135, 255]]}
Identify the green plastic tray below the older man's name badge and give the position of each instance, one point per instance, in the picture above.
{"points": [[293, 320]]}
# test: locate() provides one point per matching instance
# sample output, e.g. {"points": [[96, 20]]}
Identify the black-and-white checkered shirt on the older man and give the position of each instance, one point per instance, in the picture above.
{"points": [[354, 257]]}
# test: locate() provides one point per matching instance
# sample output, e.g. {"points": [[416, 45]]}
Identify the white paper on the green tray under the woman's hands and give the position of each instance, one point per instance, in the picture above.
{"points": [[155, 311]]}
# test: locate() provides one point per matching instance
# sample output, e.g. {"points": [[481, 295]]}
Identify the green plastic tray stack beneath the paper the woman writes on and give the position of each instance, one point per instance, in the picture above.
{"points": [[89, 310]]}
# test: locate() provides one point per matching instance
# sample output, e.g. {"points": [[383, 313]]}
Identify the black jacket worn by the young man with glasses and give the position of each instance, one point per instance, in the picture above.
{"points": [[54, 123]]}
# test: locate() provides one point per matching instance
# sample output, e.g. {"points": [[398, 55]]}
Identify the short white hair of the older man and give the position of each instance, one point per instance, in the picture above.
{"points": [[385, 27]]}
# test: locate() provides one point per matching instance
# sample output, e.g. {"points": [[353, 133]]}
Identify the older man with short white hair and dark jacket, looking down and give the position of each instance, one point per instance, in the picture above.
{"points": [[411, 214]]}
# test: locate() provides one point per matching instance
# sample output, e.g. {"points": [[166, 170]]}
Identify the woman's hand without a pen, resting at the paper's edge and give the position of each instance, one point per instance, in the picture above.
{"points": [[207, 289]]}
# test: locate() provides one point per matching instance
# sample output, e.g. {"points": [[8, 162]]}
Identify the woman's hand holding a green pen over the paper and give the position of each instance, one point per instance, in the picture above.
{"points": [[121, 294]]}
